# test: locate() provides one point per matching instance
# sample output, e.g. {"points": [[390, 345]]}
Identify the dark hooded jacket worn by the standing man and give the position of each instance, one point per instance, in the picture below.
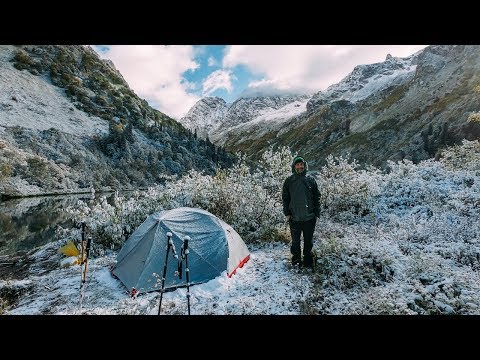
{"points": [[300, 195]]}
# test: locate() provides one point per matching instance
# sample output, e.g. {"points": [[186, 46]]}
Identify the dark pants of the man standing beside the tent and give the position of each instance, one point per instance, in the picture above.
{"points": [[296, 229]]}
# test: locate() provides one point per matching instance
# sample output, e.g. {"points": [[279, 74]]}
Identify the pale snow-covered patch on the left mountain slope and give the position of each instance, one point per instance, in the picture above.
{"points": [[29, 101]]}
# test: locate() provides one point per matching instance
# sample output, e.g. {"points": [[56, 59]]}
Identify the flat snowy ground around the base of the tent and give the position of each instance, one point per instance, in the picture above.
{"points": [[265, 285]]}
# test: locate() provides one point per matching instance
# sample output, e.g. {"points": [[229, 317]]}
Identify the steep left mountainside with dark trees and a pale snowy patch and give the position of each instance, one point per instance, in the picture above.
{"points": [[69, 121]]}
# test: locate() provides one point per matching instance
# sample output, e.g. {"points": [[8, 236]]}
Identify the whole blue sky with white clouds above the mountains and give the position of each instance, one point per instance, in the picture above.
{"points": [[172, 78]]}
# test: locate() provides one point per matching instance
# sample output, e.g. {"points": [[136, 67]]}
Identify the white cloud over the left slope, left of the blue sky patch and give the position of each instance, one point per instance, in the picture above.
{"points": [[155, 72]]}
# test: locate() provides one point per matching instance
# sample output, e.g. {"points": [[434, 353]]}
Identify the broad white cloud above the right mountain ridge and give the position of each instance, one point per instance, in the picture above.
{"points": [[307, 68]]}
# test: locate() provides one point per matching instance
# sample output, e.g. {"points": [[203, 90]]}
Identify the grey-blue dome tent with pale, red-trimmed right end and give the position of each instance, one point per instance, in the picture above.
{"points": [[214, 247]]}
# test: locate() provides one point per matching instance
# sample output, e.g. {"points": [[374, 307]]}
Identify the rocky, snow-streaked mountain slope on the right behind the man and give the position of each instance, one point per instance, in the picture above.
{"points": [[400, 108]]}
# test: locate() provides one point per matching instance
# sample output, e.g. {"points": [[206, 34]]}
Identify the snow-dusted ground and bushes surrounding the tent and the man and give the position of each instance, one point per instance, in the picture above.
{"points": [[402, 242]]}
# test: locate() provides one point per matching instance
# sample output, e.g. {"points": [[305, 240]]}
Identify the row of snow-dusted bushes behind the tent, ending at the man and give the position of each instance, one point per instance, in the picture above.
{"points": [[250, 201]]}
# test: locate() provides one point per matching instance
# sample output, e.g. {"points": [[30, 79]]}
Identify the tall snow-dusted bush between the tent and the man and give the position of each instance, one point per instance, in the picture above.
{"points": [[250, 201]]}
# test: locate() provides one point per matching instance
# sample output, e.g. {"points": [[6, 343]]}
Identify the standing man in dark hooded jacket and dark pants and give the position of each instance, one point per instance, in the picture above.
{"points": [[301, 206]]}
